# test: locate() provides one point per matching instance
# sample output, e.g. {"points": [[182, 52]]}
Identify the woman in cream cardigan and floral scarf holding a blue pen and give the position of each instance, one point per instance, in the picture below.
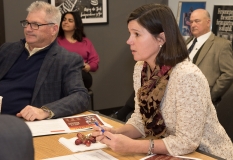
{"points": [[173, 103]]}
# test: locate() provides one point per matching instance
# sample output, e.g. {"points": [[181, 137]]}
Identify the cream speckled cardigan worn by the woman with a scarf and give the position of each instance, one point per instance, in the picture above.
{"points": [[189, 114]]}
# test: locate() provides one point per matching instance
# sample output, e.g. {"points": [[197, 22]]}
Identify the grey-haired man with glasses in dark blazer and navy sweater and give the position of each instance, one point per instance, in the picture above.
{"points": [[39, 79]]}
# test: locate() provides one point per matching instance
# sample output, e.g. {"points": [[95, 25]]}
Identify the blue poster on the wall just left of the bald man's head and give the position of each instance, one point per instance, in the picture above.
{"points": [[184, 11]]}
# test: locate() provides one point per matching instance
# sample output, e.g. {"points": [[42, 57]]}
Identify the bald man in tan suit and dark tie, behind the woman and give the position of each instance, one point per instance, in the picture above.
{"points": [[212, 54]]}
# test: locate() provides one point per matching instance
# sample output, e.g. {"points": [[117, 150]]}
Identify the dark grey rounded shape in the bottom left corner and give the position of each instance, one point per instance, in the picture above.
{"points": [[15, 139]]}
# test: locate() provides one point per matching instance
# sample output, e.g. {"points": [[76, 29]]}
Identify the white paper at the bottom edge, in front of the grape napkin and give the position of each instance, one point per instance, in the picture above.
{"points": [[90, 155]]}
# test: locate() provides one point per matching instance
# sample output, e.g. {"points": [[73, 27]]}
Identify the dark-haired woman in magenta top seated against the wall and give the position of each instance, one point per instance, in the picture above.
{"points": [[71, 36]]}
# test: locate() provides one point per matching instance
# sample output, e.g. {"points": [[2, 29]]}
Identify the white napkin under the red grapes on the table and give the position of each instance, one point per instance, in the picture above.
{"points": [[70, 144]]}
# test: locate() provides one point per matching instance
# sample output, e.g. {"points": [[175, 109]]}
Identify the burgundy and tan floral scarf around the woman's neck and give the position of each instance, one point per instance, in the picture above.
{"points": [[150, 96]]}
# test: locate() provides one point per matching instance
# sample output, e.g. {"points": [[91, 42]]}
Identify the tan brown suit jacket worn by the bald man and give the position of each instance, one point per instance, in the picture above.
{"points": [[215, 60]]}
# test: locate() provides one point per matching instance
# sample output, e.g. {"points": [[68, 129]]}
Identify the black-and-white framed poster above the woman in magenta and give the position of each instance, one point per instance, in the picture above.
{"points": [[91, 11]]}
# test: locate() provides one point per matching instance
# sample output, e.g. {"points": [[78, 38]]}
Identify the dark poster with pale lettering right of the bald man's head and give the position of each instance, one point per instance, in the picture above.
{"points": [[222, 23]]}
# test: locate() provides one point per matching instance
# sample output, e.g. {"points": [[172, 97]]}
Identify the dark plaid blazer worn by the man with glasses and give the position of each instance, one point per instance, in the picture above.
{"points": [[59, 85]]}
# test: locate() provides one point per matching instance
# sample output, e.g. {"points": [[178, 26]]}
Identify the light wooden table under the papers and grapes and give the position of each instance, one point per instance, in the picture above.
{"points": [[49, 146]]}
